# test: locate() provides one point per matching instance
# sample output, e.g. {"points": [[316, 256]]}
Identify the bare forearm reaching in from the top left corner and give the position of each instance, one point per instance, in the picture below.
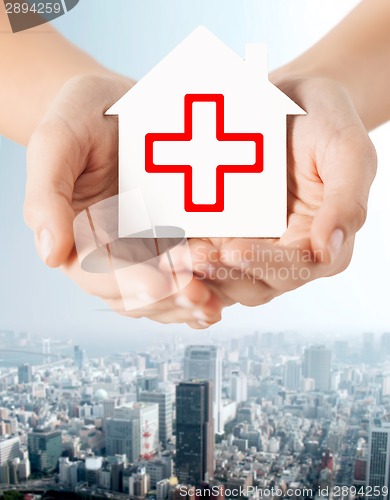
{"points": [[34, 65]]}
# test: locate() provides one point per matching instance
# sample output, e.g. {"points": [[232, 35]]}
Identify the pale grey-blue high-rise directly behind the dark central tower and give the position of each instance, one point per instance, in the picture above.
{"points": [[204, 363]]}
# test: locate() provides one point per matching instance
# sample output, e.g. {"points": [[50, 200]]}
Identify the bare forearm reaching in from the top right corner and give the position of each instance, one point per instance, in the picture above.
{"points": [[357, 54]]}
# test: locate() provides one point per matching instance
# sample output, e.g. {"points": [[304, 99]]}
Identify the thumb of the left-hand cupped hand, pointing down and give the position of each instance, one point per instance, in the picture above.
{"points": [[48, 210]]}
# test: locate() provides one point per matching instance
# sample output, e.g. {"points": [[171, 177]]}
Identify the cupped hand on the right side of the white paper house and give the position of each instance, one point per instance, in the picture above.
{"points": [[331, 165]]}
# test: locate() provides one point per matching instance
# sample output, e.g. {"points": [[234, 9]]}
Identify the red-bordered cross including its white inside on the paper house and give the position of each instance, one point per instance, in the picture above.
{"points": [[228, 141]]}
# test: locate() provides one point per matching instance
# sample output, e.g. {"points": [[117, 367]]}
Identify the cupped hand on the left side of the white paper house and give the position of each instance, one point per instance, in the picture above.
{"points": [[71, 165]]}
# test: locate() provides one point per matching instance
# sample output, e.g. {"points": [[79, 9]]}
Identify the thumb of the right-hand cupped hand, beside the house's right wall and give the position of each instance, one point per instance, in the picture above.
{"points": [[348, 169]]}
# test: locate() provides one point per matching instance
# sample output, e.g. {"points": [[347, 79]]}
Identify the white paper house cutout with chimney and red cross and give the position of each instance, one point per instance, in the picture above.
{"points": [[203, 136]]}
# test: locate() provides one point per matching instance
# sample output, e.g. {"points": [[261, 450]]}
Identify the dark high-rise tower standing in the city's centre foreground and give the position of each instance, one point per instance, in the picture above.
{"points": [[194, 432]]}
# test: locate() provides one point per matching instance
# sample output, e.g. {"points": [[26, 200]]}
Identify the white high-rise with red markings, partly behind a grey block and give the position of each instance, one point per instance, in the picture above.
{"points": [[147, 415]]}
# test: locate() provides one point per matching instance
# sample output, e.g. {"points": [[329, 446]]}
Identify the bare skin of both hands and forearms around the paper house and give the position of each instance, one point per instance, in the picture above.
{"points": [[72, 163]]}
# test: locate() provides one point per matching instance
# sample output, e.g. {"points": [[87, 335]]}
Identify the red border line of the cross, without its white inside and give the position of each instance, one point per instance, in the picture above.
{"points": [[187, 170]]}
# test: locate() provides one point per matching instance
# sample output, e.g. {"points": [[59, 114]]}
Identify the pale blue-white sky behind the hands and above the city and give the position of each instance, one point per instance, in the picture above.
{"points": [[131, 36]]}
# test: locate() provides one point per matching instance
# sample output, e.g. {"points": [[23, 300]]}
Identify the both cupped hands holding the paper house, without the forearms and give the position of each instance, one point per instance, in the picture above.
{"points": [[72, 164]]}
